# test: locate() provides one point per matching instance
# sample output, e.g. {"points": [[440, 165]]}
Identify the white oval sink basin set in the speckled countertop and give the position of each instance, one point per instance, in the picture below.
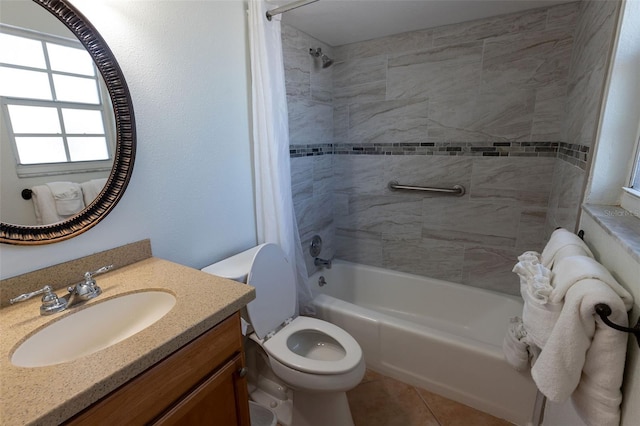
{"points": [[92, 329]]}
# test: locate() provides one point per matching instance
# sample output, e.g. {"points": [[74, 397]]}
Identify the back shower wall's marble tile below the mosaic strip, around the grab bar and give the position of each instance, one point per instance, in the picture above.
{"points": [[472, 239]]}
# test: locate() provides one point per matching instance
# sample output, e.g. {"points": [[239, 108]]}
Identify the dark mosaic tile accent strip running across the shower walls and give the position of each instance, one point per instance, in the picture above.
{"points": [[571, 153]]}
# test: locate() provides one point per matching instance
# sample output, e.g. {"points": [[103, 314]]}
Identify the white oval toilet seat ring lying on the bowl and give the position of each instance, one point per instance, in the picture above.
{"points": [[277, 347]]}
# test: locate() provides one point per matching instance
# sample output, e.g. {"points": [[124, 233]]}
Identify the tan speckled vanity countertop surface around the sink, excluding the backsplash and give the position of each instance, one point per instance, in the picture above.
{"points": [[52, 394]]}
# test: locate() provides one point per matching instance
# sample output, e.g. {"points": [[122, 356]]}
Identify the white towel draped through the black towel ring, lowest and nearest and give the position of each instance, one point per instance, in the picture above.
{"points": [[584, 356]]}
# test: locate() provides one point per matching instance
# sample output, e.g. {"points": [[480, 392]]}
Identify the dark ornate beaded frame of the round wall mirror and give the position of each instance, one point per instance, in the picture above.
{"points": [[125, 138]]}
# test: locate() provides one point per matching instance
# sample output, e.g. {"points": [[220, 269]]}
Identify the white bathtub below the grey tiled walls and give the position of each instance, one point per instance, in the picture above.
{"points": [[437, 335]]}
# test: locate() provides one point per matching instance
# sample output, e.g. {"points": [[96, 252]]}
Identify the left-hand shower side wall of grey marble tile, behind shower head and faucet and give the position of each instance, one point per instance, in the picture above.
{"points": [[310, 104]]}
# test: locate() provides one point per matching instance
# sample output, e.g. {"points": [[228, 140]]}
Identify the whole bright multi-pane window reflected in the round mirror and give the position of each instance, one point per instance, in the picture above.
{"points": [[51, 96]]}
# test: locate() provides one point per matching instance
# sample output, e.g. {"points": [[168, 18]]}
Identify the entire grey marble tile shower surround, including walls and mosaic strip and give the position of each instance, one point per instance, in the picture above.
{"points": [[497, 105]]}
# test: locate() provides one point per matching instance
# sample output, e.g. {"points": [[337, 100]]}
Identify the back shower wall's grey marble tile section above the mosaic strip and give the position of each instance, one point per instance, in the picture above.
{"points": [[498, 80]]}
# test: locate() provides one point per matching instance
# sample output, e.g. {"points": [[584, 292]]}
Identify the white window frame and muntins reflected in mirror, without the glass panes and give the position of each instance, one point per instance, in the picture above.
{"points": [[69, 166]]}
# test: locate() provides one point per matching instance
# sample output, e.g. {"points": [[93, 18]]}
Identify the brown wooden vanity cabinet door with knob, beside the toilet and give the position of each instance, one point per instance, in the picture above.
{"points": [[221, 400]]}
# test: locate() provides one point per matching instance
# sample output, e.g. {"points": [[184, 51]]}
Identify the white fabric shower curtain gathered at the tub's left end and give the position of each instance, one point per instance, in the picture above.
{"points": [[275, 216]]}
